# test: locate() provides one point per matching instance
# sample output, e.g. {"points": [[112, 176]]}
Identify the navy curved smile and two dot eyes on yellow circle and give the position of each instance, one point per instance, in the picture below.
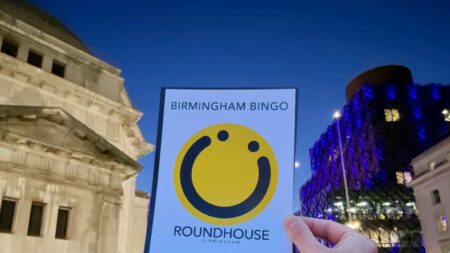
{"points": [[260, 190]]}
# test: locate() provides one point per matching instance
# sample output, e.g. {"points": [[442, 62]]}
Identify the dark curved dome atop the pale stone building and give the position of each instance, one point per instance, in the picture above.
{"points": [[41, 20]]}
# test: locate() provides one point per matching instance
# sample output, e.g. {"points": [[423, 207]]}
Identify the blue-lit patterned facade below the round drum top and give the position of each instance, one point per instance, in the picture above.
{"points": [[374, 149]]}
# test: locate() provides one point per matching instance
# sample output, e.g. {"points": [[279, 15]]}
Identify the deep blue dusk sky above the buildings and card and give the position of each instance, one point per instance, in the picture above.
{"points": [[317, 46]]}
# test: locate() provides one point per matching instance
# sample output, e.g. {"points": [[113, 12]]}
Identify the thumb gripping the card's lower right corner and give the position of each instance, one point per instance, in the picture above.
{"points": [[301, 235]]}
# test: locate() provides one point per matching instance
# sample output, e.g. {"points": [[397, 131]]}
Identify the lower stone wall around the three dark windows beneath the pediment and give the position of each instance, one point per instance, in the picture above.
{"points": [[93, 218]]}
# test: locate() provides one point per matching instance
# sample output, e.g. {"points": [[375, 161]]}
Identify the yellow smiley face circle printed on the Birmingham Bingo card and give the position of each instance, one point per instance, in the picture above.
{"points": [[225, 174]]}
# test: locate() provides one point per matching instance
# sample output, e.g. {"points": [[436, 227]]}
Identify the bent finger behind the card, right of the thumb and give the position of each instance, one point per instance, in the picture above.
{"points": [[326, 229]]}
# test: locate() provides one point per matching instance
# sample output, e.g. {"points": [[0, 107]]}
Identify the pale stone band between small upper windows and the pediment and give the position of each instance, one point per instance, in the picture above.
{"points": [[28, 85]]}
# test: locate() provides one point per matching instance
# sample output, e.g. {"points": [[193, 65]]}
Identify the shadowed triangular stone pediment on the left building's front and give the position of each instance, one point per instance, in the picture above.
{"points": [[57, 129]]}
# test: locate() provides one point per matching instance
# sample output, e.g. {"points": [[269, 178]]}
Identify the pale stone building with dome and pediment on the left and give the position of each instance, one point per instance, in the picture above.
{"points": [[69, 142]]}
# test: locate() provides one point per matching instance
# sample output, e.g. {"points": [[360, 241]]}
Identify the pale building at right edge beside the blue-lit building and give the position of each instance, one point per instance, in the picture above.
{"points": [[432, 191]]}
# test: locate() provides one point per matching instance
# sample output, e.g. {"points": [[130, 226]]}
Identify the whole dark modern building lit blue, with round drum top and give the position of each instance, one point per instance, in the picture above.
{"points": [[386, 122]]}
